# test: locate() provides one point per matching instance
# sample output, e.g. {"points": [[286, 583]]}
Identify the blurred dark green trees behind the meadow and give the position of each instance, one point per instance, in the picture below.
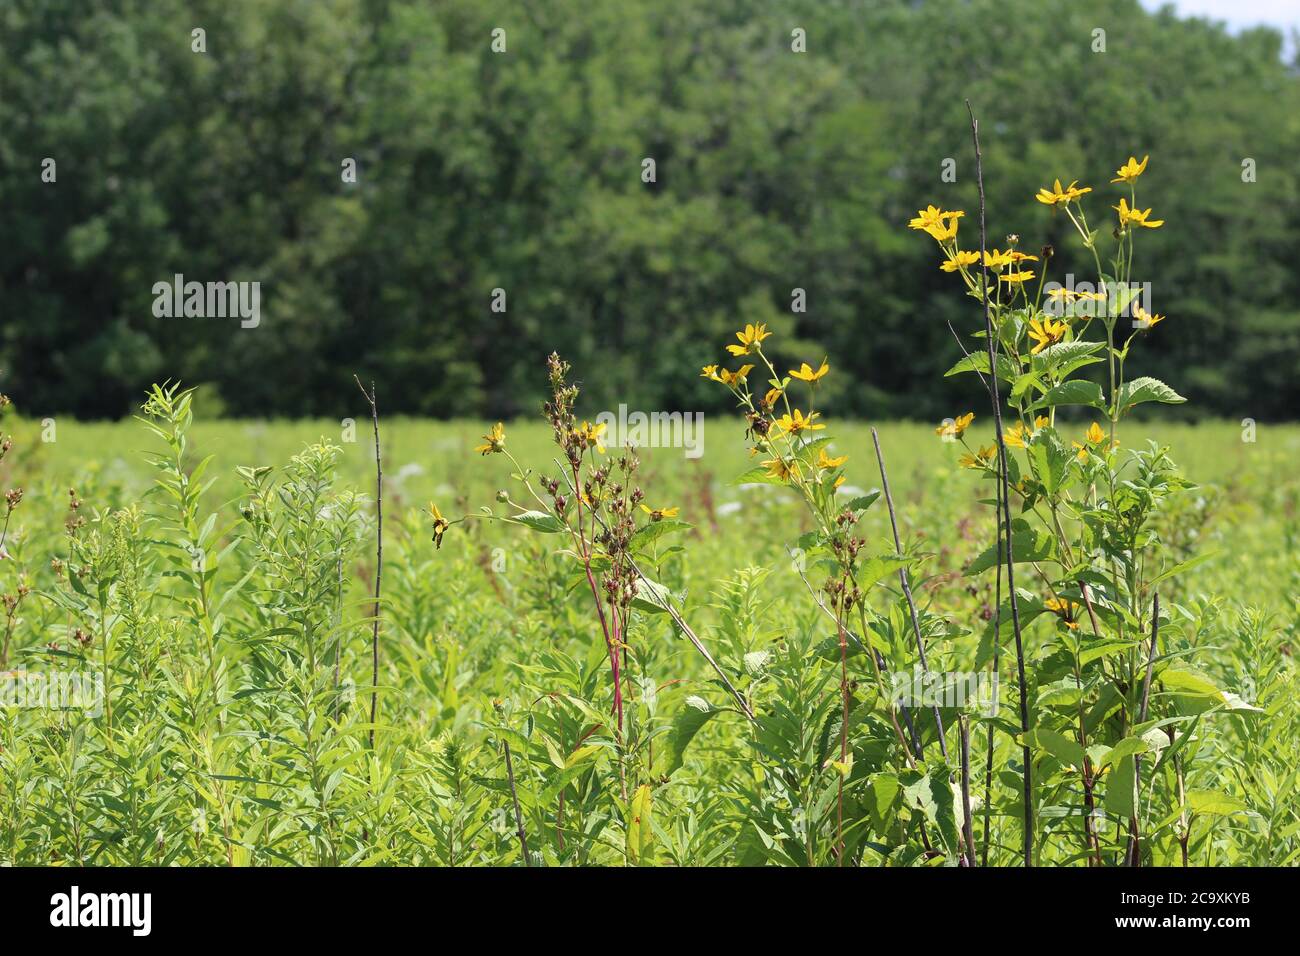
{"points": [[522, 171]]}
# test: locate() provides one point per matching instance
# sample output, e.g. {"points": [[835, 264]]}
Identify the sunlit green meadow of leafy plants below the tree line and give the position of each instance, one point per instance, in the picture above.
{"points": [[245, 750]]}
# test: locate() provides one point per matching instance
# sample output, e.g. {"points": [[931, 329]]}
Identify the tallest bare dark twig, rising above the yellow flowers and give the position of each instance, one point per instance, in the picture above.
{"points": [[1006, 517]]}
